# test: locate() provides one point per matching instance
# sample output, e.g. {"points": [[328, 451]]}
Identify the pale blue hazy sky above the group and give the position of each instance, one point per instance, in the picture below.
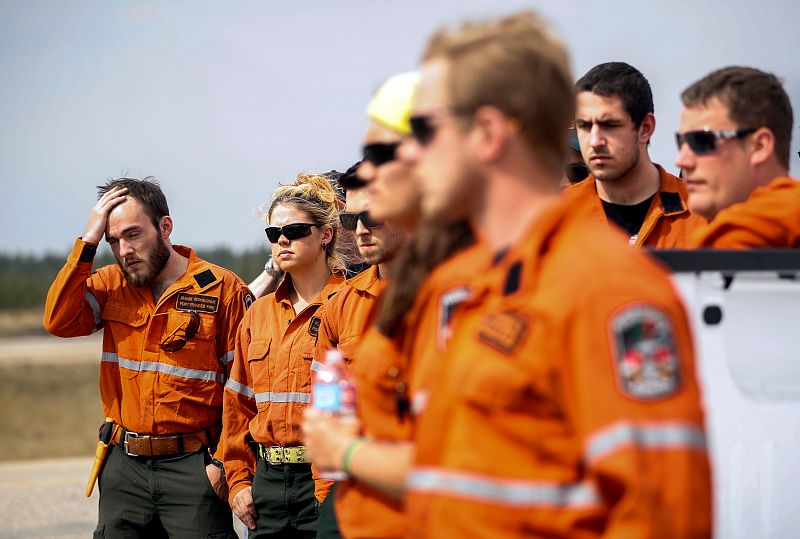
{"points": [[220, 101]]}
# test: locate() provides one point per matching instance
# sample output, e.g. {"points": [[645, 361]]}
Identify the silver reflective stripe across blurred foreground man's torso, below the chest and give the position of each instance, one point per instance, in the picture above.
{"points": [[514, 492]]}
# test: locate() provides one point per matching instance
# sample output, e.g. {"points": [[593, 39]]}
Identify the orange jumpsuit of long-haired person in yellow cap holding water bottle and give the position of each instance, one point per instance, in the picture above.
{"points": [[391, 387]]}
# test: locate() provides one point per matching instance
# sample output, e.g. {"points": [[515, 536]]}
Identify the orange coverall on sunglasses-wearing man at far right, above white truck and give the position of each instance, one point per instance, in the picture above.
{"points": [[770, 217]]}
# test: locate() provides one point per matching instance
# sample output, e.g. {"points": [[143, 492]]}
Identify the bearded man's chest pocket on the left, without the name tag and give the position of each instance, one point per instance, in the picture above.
{"points": [[129, 328]]}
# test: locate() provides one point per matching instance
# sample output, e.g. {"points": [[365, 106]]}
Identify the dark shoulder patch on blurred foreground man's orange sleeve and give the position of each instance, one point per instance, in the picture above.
{"points": [[645, 355]]}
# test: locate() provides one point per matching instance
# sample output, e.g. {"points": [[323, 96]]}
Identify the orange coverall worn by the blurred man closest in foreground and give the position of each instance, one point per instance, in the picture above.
{"points": [[566, 405]]}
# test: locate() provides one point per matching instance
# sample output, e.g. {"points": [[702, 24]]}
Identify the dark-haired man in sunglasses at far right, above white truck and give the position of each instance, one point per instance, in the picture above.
{"points": [[733, 147]]}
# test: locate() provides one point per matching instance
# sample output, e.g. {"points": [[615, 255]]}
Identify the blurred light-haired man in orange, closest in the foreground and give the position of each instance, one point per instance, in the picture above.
{"points": [[566, 403]]}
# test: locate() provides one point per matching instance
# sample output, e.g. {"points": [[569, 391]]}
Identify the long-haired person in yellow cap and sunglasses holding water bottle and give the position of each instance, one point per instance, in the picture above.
{"points": [[391, 364]]}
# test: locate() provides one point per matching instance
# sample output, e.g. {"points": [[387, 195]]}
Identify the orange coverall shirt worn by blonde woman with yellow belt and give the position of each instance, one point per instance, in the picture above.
{"points": [[270, 382]]}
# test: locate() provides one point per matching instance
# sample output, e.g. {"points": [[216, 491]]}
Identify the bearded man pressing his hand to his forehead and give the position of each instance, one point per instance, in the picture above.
{"points": [[169, 322]]}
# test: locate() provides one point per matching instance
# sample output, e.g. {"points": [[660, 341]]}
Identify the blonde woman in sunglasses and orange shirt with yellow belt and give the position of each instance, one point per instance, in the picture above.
{"points": [[270, 380]]}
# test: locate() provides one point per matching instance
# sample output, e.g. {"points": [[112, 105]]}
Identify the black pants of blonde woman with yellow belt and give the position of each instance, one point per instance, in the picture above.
{"points": [[283, 495]]}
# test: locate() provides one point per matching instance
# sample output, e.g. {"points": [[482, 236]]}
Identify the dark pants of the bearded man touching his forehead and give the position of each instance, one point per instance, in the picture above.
{"points": [[160, 497]]}
